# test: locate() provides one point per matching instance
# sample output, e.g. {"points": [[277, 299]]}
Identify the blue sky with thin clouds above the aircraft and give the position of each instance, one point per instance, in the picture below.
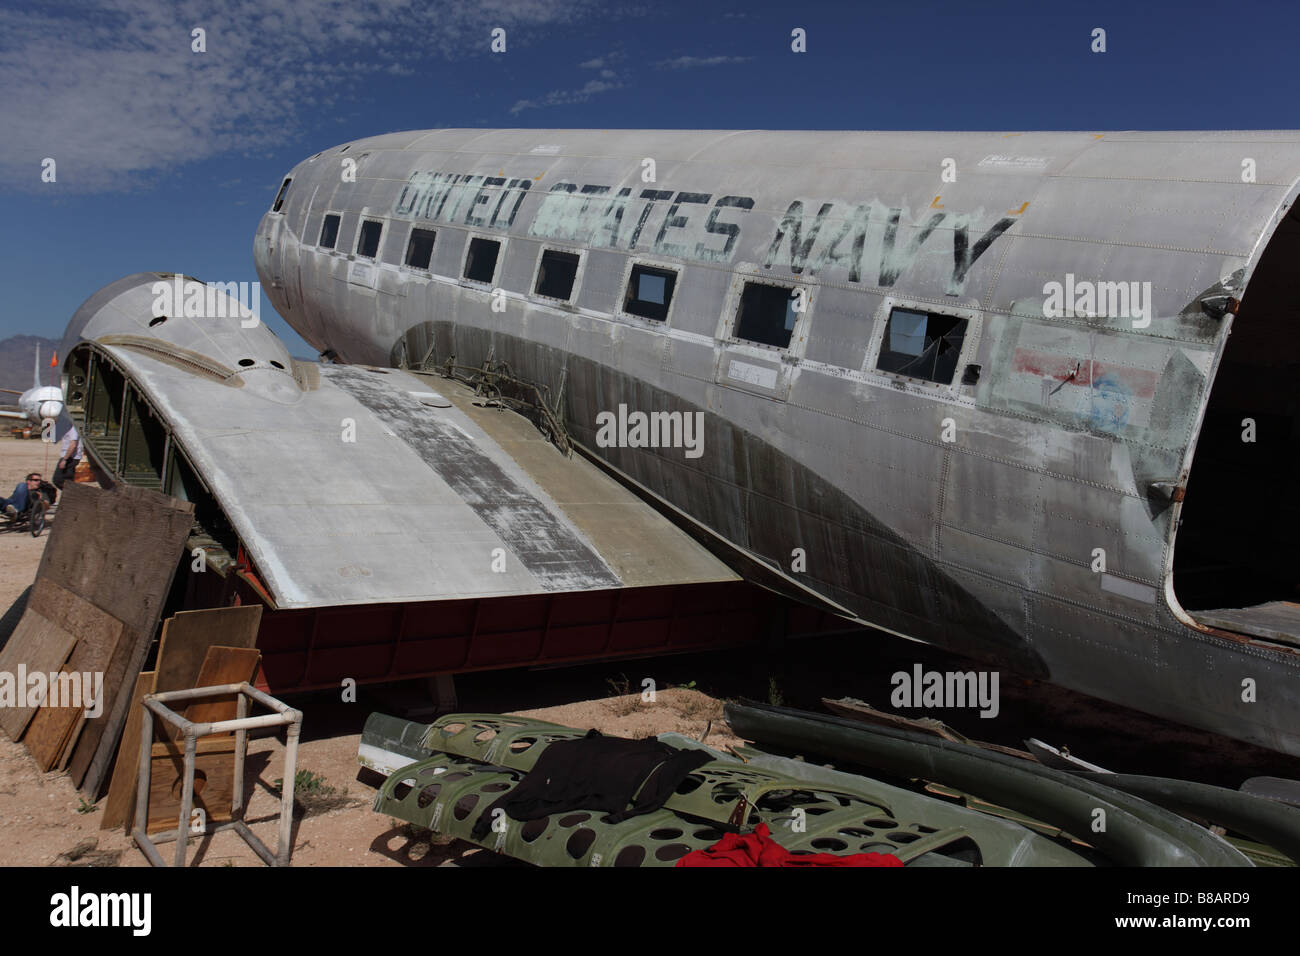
{"points": [[167, 158]]}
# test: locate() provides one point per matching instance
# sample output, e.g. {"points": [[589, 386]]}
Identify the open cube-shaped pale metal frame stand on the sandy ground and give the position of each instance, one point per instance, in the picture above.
{"points": [[284, 716]]}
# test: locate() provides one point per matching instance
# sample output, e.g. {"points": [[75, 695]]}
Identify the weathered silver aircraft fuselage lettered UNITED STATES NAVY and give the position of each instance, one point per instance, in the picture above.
{"points": [[1072, 430]]}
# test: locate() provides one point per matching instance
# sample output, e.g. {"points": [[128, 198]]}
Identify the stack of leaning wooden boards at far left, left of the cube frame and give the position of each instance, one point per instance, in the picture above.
{"points": [[94, 609]]}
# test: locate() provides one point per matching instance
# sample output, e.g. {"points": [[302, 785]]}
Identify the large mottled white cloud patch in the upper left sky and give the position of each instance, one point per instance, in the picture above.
{"points": [[114, 93]]}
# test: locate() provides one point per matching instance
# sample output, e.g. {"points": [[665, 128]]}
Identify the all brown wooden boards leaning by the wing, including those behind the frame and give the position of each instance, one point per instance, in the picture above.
{"points": [[94, 609]]}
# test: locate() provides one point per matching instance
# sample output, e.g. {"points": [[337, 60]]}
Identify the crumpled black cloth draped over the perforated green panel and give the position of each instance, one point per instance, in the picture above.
{"points": [[623, 778]]}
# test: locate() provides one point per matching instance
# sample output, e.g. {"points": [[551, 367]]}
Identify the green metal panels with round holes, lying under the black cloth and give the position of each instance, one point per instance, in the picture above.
{"points": [[489, 754]]}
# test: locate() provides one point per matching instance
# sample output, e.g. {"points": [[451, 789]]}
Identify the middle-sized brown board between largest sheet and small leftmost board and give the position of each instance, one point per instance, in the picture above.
{"points": [[98, 637]]}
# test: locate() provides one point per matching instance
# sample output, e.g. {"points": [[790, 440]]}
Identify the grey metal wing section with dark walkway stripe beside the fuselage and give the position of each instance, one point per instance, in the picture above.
{"points": [[357, 486]]}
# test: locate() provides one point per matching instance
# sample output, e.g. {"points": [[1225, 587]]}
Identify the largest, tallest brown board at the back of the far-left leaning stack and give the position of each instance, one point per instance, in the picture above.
{"points": [[119, 551]]}
